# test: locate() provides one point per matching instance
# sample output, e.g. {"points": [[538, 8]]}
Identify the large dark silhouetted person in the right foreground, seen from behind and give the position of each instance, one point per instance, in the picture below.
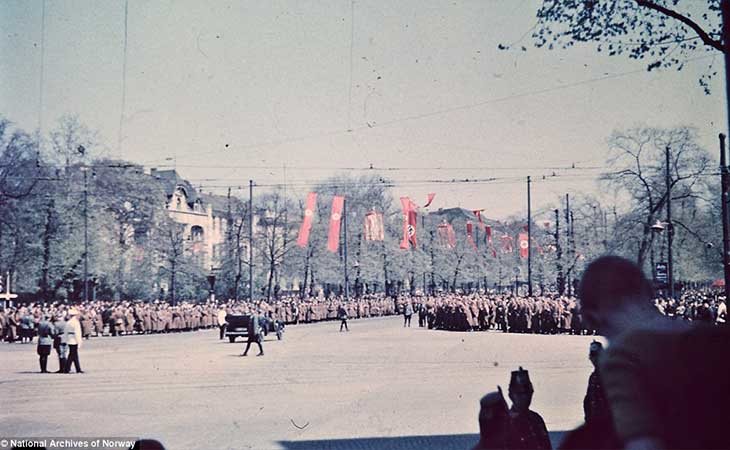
{"points": [[667, 382]]}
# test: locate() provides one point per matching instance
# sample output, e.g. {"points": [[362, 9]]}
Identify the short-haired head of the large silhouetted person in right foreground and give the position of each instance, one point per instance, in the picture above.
{"points": [[615, 295]]}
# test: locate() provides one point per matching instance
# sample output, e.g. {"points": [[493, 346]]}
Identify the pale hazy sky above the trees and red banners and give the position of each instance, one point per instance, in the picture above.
{"points": [[296, 91]]}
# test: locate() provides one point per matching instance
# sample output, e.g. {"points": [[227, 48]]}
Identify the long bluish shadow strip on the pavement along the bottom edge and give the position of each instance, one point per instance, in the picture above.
{"points": [[437, 442]]}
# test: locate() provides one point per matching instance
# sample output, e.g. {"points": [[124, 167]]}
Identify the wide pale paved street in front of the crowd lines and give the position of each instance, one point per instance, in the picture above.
{"points": [[378, 386]]}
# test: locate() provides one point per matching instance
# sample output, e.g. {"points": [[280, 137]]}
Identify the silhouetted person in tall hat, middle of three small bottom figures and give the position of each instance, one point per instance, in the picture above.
{"points": [[526, 428]]}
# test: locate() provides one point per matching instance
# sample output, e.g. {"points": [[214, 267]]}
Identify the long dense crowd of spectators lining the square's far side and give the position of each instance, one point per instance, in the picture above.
{"points": [[452, 312]]}
